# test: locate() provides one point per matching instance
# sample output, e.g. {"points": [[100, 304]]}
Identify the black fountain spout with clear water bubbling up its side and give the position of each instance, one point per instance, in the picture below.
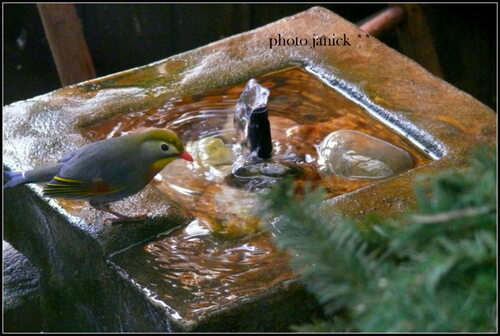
{"points": [[251, 122]]}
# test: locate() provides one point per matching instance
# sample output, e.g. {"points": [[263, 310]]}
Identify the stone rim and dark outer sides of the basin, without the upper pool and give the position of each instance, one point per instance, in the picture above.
{"points": [[95, 277]]}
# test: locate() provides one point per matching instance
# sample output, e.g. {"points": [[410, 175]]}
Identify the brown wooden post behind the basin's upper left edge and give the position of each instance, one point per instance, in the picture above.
{"points": [[67, 43]]}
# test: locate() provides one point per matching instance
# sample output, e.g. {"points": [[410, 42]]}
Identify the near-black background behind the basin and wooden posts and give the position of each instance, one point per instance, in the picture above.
{"points": [[123, 36]]}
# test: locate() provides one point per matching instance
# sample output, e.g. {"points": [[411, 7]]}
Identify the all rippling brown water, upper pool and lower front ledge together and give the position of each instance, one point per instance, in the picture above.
{"points": [[193, 271]]}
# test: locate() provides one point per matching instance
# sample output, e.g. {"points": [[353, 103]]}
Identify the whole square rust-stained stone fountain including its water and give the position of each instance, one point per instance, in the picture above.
{"points": [[168, 272]]}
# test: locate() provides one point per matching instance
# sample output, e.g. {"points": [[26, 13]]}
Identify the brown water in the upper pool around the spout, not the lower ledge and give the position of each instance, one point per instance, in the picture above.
{"points": [[303, 110]]}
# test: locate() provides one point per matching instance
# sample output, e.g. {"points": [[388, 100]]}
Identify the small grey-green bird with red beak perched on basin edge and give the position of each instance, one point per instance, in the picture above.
{"points": [[108, 170]]}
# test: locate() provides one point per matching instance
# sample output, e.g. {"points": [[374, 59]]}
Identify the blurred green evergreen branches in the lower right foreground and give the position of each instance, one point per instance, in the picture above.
{"points": [[432, 271]]}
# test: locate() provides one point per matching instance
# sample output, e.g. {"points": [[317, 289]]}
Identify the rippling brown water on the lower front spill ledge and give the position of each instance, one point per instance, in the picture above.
{"points": [[197, 274]]}
